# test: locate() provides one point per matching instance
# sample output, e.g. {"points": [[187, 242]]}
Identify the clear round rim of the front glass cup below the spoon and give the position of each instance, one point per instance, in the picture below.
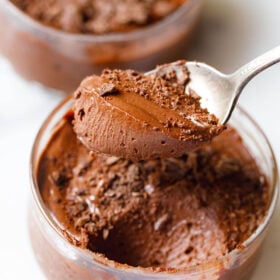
{"points": [[110, 264]]}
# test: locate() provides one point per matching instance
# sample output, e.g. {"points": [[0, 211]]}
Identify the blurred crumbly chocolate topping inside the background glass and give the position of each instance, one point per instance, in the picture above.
{"points": [[98, 16]]}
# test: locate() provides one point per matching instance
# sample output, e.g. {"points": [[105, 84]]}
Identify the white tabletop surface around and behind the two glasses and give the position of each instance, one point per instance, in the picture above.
{"points": [[232, 33]]}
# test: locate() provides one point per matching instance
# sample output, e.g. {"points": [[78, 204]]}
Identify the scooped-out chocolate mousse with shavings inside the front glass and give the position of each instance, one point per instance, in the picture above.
{"points": [[161, 213]]}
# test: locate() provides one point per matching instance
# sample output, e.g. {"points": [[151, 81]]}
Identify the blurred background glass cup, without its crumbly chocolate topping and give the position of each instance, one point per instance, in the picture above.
{"points": [[61, 60]]}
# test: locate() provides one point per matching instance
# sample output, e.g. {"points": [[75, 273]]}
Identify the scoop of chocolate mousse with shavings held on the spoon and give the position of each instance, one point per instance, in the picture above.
{"points": [[132, 115]]}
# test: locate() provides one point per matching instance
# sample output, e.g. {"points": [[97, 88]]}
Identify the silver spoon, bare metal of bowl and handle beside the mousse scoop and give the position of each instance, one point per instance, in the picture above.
{"points": [[219, 92]]}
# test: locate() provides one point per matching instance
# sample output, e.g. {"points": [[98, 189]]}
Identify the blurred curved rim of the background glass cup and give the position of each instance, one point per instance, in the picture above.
{"points": [[90, 38]]}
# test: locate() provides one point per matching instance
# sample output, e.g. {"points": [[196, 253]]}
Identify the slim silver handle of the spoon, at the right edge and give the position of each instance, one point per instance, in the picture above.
{"points": [[244, 74]]}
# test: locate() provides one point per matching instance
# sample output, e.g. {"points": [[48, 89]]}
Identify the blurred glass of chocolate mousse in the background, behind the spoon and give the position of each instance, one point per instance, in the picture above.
{"points": [[58, 43]]}
